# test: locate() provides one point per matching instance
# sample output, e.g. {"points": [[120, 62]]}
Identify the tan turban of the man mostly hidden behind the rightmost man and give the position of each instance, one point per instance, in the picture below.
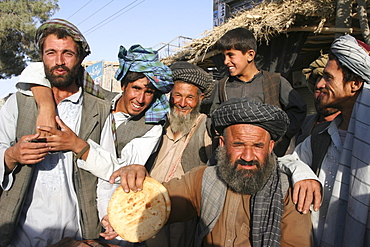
{"points": [[315, 70]]}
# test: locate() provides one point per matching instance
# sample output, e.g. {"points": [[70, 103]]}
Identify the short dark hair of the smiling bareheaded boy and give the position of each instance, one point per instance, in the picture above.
{"points": [[239, 39]]}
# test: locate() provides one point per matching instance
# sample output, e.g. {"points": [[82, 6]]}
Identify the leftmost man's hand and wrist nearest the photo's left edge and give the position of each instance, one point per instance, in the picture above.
{"points": [[28, 150]]}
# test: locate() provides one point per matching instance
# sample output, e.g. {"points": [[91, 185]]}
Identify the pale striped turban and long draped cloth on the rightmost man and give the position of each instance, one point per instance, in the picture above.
{"points": [[353, 176]]}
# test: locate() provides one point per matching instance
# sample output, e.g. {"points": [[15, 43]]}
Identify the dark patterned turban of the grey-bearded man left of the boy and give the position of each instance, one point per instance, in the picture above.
{"points": [[190, 73]]}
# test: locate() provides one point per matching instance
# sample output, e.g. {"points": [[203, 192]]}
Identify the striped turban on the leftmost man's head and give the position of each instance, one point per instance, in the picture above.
{"points": [[71, 29]]}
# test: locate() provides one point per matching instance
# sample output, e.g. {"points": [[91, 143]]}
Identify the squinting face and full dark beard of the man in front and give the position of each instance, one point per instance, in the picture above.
{"points": [[245, 160]]}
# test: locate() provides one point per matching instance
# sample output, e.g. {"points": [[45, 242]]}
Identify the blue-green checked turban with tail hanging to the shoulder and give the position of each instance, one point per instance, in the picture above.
{"points": [[145, 60]]}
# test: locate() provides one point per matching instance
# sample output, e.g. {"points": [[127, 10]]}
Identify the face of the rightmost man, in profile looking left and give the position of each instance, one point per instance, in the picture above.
{"points": [[333, 92]]}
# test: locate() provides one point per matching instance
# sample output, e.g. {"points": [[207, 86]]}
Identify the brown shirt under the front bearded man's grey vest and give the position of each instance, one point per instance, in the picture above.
{"points": [[233, 225]]}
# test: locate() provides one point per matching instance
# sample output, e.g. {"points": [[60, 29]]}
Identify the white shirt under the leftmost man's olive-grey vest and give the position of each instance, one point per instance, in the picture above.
{"points": [[51, 211]]}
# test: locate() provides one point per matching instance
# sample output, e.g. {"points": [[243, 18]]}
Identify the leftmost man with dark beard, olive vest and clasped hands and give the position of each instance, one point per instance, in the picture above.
{"points": [[46, 195]]}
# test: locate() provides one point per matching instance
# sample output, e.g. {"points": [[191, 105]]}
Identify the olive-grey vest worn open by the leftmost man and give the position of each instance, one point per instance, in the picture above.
{"points": [[94, 113]]}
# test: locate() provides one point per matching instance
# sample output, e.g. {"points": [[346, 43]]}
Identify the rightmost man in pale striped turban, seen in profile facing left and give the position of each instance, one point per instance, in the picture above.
{"points": [[343, 219]]}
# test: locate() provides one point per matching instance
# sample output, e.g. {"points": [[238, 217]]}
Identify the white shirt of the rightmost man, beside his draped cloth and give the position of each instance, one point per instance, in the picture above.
{"points": [[327, 176]]}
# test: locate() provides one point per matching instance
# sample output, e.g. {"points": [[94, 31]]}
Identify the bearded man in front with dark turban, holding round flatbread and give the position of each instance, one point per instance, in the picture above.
{"points": [[244, 200]]}
